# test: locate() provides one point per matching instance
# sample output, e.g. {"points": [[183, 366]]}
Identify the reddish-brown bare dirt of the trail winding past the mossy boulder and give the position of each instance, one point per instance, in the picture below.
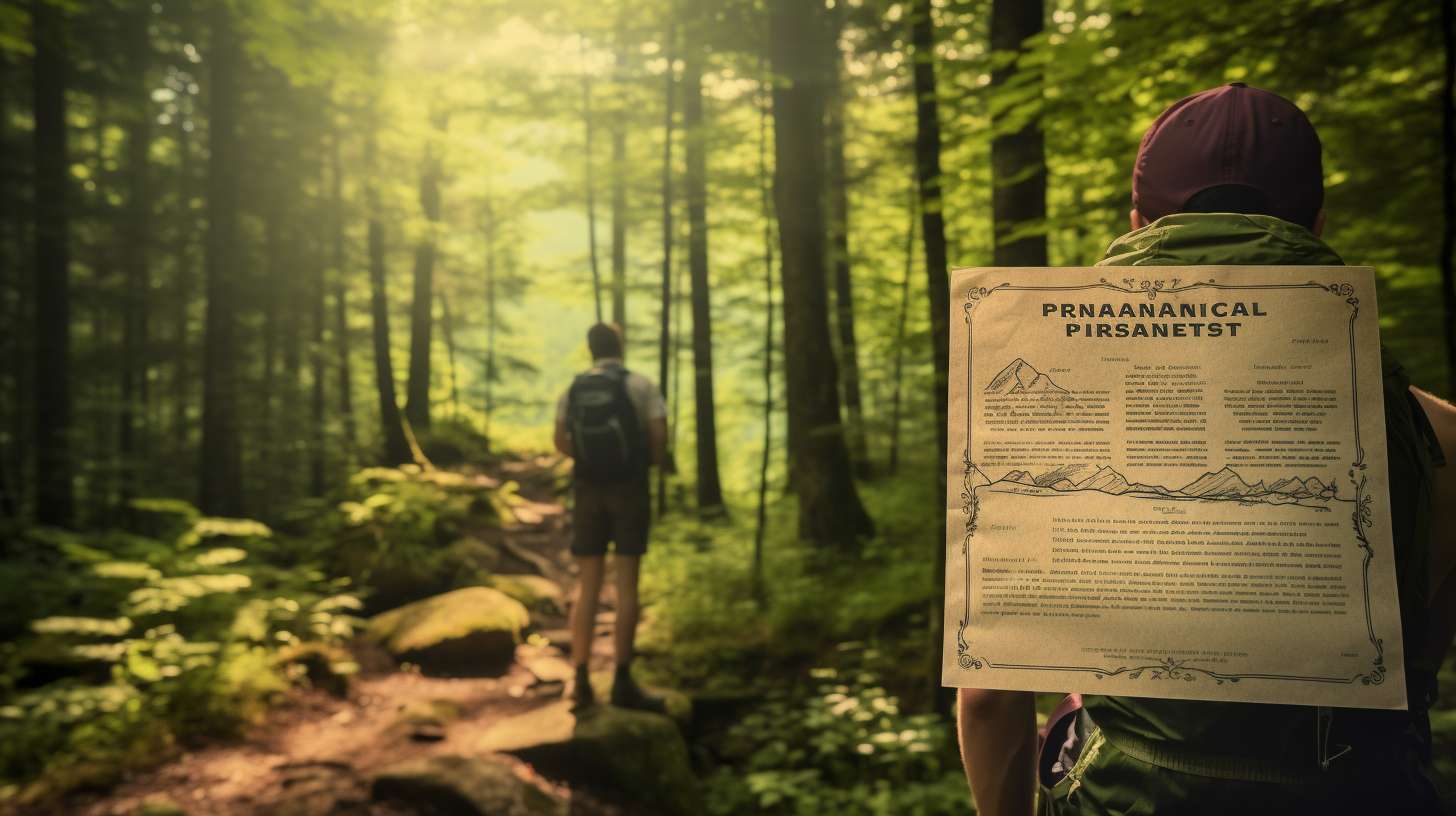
{"points": [[315, 754]]}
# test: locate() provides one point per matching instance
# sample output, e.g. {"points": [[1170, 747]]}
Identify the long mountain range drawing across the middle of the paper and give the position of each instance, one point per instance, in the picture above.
{"points": [[1225, 484]]}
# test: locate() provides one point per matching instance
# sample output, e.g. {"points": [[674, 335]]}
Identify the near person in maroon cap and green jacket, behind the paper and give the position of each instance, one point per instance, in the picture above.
{"points": [[1234, 176]]}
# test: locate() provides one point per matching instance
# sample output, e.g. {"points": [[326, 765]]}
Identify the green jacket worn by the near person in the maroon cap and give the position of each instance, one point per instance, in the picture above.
{"points": [[1161, 756]]}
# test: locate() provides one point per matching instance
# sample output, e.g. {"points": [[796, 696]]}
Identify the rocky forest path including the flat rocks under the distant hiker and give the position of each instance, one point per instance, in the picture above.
{"points": [[407, 744]]}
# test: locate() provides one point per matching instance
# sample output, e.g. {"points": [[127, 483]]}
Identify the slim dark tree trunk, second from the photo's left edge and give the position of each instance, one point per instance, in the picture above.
{"points": [[135, 248]]}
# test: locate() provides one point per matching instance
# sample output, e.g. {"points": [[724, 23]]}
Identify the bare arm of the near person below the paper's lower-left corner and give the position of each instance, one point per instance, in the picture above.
{"points": [[998, 732]]}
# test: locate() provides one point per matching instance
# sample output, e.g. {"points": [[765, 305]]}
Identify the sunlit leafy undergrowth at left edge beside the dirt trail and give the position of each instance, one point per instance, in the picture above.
{"points": [[149, 643]]}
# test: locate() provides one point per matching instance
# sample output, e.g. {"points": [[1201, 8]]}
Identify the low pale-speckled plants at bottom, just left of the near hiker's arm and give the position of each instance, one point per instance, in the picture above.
{"points": [[847, 748]]}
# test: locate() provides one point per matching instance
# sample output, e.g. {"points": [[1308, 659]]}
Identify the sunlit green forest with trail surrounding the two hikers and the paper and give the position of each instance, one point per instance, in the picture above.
{"points": [[289, 294]]}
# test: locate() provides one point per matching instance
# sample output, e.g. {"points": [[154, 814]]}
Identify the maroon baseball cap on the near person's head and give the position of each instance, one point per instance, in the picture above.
{"points": [[1233, 135]]}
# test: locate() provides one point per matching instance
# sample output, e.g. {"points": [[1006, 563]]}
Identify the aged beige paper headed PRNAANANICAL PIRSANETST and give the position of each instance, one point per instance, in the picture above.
{"points": [[1171, 482]]}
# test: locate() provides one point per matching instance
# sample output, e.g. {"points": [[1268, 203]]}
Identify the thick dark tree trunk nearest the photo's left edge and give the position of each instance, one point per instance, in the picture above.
{"points": [[55, 493]]}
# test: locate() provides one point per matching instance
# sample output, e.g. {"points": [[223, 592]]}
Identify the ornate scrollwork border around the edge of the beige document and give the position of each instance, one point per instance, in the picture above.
{"points": [[1171, 668]]}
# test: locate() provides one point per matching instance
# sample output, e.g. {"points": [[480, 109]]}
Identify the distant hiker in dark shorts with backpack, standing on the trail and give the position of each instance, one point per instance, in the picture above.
{"points": [[614, 425]]}
